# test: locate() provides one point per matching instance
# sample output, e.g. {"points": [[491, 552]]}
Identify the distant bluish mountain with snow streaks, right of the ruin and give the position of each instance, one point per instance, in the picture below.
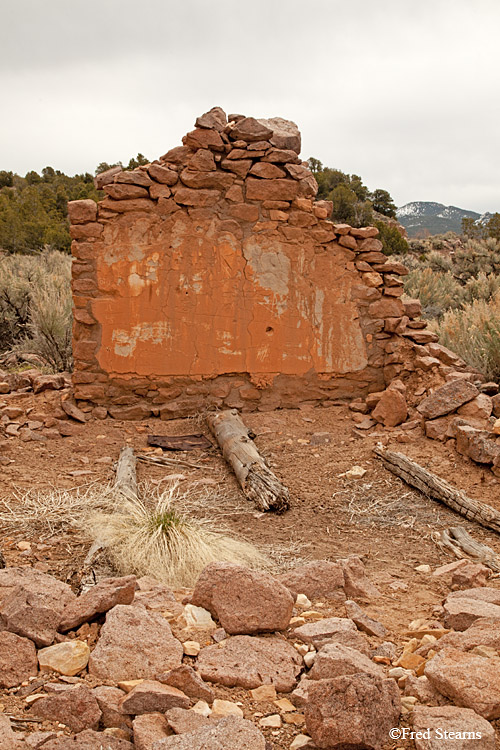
{"points": [[426, 217]]}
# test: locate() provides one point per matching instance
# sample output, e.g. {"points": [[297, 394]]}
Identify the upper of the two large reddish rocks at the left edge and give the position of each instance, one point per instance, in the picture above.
{"points": [[31, 603]]}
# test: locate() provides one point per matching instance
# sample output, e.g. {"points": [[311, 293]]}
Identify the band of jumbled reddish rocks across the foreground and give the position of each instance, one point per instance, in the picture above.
{"points": [[133, 686]]}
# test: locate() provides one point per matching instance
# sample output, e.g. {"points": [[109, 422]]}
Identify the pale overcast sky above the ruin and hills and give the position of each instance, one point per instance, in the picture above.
{"points": [[401, 92]]}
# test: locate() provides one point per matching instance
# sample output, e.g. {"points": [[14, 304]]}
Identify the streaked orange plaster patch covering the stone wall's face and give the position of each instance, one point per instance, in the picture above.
{"points": [[178, 296]]}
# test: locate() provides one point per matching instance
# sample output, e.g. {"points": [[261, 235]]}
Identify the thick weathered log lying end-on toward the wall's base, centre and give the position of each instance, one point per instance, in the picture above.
{"points": [[253, 474]]}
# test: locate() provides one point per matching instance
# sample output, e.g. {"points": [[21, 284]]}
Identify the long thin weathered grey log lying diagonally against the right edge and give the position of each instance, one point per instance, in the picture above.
{"points": [[438, 489]]}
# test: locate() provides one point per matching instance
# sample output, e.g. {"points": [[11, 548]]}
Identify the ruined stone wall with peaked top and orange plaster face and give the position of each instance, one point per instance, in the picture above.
{"points": [[212, 277]]}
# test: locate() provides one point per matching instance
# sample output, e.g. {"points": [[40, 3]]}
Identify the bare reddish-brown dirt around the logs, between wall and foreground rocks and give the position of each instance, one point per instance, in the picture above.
{"points": [[331, 516]]}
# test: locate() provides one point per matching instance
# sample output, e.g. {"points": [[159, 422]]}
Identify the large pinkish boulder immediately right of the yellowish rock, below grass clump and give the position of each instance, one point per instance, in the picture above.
{"points": [[134, 643]]}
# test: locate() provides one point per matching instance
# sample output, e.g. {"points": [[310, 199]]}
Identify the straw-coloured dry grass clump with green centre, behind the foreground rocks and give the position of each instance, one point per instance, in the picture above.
{"points": [[160, 537]]}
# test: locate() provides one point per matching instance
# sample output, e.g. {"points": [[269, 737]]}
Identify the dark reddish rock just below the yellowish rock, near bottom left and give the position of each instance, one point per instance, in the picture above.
{"points": [[76, 707]]}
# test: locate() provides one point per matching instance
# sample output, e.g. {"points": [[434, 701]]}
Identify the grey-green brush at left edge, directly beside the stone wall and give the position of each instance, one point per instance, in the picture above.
{"points": [[35, 307]]}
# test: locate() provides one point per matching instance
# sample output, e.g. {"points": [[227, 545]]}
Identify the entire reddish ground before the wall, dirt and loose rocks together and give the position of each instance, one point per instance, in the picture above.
{"points": [[318, 639]]}
